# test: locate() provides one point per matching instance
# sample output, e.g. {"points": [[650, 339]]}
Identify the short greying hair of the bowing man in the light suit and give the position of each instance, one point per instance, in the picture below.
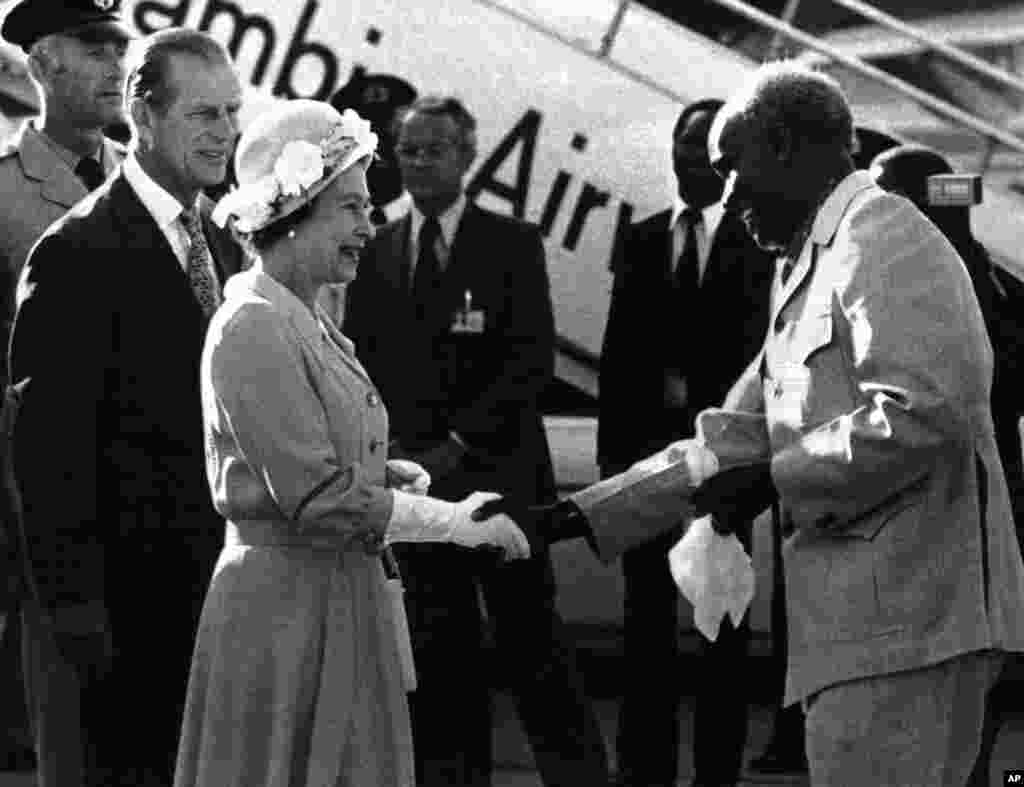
{"points": [[788, 99]]}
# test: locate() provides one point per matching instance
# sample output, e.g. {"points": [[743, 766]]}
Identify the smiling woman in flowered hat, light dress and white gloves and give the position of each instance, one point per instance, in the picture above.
{"points": [[296, 678]]}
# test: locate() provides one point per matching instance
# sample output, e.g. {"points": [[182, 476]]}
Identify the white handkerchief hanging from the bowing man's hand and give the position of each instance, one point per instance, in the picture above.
{"points": [[714, 574]]}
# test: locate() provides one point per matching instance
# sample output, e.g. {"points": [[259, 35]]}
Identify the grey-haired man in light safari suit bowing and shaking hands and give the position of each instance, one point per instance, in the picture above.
{"points": [[869, 409]]}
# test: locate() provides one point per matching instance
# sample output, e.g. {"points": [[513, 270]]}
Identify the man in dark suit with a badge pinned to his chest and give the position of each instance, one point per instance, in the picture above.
{"points": [[452, 317]]}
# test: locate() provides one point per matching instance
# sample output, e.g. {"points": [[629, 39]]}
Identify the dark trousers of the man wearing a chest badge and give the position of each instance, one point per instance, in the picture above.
{"points": [[533, 658]]}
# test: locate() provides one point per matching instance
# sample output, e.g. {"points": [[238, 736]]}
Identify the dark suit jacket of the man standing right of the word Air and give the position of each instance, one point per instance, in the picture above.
{"points": [[652, 329]]}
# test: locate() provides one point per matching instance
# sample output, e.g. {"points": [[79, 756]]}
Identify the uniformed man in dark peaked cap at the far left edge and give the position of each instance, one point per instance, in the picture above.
{"points": [[76, 51]]}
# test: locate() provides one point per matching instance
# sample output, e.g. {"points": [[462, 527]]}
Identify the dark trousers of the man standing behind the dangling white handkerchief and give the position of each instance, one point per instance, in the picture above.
{"points": [[649, 719]]}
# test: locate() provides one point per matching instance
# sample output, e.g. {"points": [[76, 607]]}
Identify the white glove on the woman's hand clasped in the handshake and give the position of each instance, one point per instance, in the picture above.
{"points": [[417, 518]]}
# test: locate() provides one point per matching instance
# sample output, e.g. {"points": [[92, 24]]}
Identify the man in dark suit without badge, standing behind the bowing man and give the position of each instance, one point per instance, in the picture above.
{"points": [[695, 272]]}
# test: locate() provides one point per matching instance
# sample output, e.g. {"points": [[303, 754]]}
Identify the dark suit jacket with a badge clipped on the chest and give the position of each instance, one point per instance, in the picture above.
{"points": [[485, 387]]}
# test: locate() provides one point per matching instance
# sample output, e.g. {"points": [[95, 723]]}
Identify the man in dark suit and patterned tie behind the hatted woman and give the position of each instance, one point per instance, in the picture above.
{"points": [[120, 531]]}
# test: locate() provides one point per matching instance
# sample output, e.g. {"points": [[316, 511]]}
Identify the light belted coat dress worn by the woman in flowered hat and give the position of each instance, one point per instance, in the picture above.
{"points": [[295, 679]]}
